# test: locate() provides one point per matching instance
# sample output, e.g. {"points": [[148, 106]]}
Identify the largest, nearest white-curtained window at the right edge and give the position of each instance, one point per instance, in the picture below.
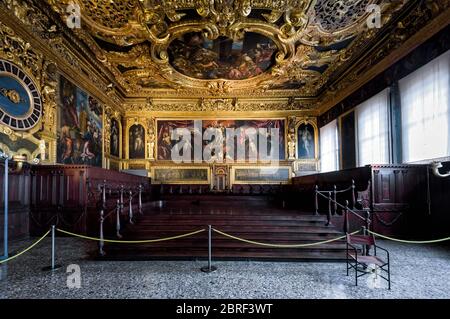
{"points": [[426, 111]]}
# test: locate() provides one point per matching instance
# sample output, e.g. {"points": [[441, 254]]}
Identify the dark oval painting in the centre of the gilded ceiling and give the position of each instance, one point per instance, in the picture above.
{"points": [[198, 57]]}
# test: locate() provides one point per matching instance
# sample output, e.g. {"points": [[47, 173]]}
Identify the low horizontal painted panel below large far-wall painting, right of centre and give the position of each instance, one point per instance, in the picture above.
{"points": [[262, 175]]}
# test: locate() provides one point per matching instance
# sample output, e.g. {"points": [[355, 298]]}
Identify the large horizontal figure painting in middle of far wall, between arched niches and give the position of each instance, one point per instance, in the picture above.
{"points": [[218, 143]]}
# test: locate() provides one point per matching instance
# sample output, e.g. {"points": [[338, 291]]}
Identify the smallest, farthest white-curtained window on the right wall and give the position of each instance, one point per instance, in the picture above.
{"points": [[329, 151]]}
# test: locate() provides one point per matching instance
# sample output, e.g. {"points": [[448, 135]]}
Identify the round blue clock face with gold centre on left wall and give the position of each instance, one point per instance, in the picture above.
{"points": [[20, 101]]}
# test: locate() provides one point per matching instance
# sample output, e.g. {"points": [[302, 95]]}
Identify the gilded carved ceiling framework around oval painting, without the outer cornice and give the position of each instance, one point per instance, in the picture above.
{"points": [[144, 30]]}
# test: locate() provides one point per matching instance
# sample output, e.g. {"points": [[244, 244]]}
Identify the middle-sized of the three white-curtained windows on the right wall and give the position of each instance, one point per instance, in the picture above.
{"points": [[373, 130]]}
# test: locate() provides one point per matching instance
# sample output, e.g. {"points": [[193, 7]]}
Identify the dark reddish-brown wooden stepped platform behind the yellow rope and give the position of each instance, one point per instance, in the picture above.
{"points": [[254, 218]]}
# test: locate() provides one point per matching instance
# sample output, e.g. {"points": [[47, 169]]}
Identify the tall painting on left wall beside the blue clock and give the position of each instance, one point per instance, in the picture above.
{"points": [[80, 127]]}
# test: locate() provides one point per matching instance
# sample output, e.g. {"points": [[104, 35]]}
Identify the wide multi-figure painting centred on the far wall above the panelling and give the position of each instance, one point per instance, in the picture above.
{"points": [[165, 144]]}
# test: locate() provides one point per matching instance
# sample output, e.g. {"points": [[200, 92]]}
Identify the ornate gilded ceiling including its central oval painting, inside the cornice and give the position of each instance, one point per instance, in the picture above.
{"points": [[235, 48]]}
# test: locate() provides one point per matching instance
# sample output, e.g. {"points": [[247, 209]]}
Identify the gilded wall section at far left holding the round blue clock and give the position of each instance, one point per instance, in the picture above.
{"points": [[27, 109]]}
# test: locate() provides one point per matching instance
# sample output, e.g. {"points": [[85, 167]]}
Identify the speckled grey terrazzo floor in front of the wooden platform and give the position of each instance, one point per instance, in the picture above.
{"points": [[418, 271]]}
